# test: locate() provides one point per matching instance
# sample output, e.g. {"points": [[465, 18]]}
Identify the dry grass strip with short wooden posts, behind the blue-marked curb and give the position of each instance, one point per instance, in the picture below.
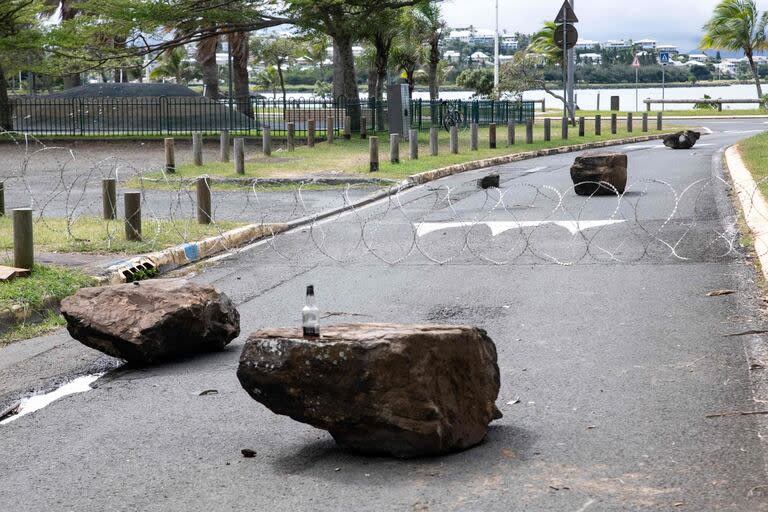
{"points": [[92, 235]]}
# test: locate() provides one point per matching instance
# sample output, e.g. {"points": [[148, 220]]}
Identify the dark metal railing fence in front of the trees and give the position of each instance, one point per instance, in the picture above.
{"points": [[157, 116]]}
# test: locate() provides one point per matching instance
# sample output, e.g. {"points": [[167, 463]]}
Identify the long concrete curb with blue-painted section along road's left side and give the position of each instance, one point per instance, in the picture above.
{"points": [[175, 257]]}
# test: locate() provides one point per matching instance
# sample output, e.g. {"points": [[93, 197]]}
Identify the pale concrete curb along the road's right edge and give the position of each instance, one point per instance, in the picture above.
{"points": [[753, 204]]}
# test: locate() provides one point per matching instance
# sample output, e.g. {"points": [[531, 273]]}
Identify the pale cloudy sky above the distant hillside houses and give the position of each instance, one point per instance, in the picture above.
{"points": [[668, 21]]}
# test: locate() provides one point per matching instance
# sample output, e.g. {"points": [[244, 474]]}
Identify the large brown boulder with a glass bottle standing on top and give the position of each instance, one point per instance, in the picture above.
{"points": [[379, 388]]}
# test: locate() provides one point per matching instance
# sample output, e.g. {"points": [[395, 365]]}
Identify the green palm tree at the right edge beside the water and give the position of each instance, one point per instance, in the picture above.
{"points": [[738, 25]]}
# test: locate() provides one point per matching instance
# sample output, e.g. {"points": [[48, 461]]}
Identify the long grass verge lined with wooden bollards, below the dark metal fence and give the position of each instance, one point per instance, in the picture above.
{"points": [[352, 156]]}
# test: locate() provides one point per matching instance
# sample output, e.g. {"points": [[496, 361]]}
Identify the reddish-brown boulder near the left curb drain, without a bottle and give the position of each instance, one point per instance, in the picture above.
{"points": [[152, 321]]}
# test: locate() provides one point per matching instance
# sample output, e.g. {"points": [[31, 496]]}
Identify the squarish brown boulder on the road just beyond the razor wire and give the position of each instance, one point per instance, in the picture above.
{"points": [[600, 174]]}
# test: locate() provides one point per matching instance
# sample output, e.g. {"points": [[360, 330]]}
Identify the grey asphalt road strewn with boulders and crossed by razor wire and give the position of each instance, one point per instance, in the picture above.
{"points": [[606, 335]]}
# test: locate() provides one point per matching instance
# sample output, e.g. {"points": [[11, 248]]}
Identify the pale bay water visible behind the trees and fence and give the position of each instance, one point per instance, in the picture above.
{"points": [[587, 98]]}
